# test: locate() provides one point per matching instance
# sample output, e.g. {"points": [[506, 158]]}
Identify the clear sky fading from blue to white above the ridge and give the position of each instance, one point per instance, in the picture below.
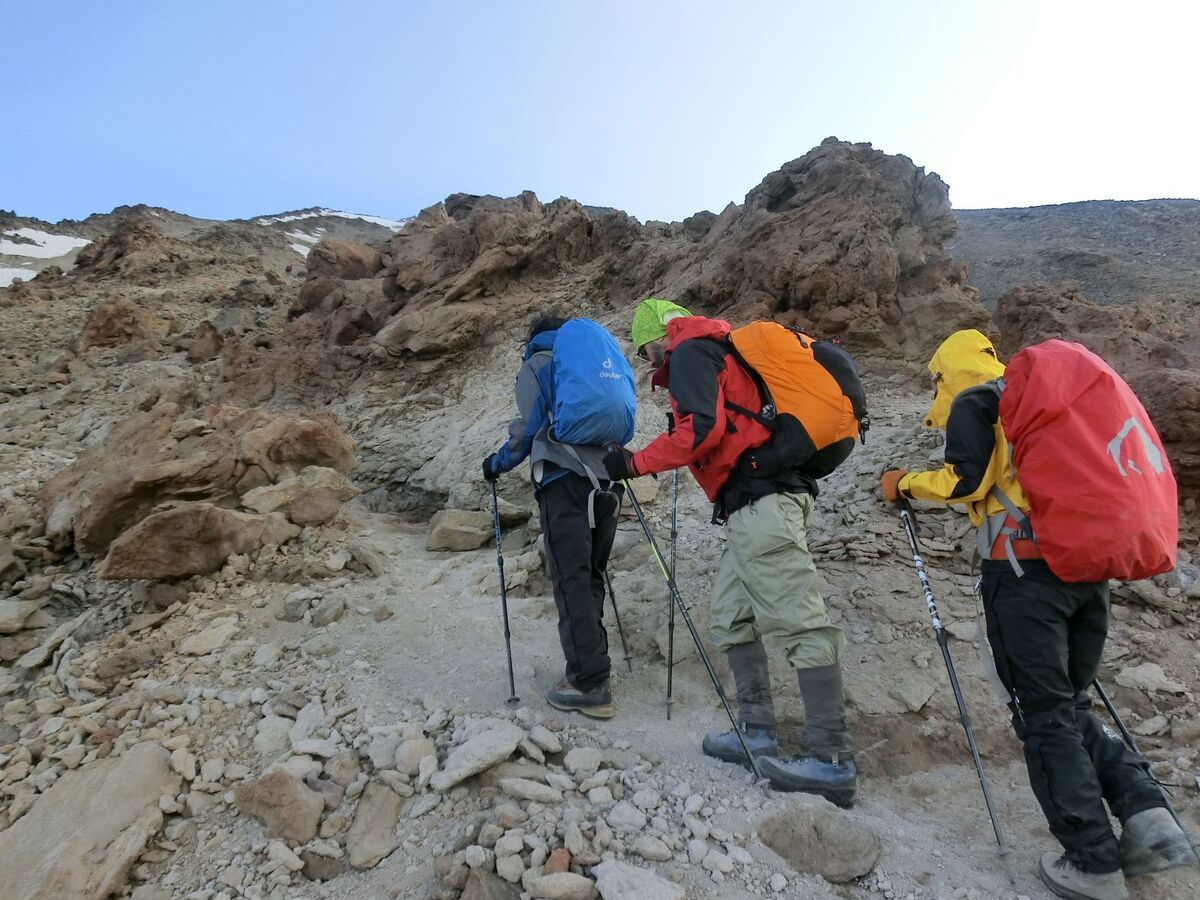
{"points": [[232, 109]]}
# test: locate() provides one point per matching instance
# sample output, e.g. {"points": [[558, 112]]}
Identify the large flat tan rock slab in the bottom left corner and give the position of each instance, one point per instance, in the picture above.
{"points": [[85, 835]]}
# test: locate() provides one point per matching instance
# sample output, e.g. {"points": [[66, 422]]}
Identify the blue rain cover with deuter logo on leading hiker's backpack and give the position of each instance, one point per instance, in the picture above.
{"points": [[595, 398]]}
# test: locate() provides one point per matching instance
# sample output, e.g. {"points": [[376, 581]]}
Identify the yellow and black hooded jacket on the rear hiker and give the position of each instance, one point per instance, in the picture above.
{"points": [[975, 460]]}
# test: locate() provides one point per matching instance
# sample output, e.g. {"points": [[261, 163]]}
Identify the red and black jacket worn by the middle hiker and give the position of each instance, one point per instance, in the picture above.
{"points": [[701, 376]]}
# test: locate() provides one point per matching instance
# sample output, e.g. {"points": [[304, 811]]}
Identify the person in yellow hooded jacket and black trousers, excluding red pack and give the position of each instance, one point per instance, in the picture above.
{"points": [[1047, 638]]}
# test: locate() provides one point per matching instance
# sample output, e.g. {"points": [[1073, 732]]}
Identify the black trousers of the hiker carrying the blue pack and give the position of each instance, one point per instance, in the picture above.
{"points": [[578, 556]]}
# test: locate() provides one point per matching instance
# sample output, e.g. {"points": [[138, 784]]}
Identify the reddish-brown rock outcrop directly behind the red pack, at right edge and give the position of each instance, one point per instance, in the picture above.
{"points": [[1153, 345]]}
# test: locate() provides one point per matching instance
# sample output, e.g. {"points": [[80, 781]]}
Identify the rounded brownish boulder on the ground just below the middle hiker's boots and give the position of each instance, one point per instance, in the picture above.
{"points": [[818, 839]]}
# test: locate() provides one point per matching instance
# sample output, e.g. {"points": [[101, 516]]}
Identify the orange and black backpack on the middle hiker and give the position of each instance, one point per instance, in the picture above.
{"points": [[813, 400]]}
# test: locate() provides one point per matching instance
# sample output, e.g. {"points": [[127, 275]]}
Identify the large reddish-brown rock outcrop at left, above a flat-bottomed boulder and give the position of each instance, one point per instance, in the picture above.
{"points": [[158, 457]]}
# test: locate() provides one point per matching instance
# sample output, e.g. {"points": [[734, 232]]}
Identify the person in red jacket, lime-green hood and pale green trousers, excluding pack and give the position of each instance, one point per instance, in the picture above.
{"points": [[767, 585]]}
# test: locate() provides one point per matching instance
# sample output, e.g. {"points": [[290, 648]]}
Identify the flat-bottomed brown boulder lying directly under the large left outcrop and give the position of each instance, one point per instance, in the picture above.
{"points": [[194, 539]]}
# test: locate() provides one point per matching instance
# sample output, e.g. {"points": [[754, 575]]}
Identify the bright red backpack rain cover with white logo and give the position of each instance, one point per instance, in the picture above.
{"points": [[1102, 494]]}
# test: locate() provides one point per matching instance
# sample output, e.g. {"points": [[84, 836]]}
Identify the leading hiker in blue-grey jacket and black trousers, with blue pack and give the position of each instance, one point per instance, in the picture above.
{"points": [[577, 502]]}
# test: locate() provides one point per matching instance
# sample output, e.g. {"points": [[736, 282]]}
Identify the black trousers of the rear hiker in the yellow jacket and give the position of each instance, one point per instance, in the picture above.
{"points": [[1048, 638]]}
